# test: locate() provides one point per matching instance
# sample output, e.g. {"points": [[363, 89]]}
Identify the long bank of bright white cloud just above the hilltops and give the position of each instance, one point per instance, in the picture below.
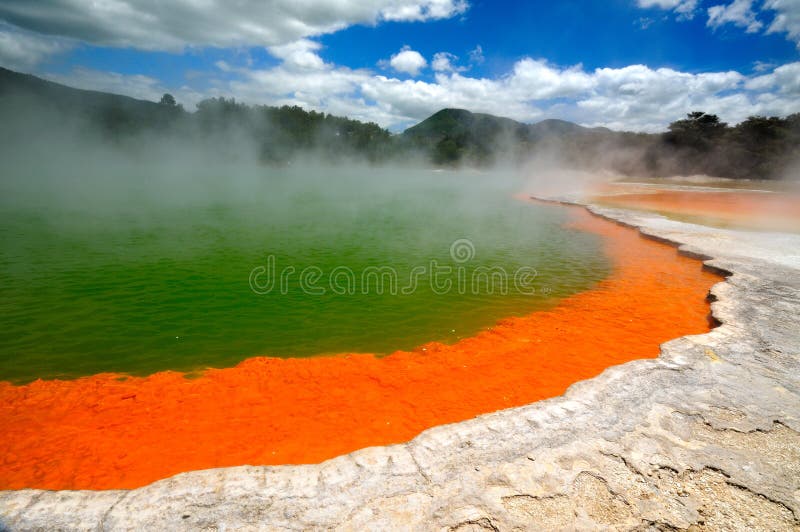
{"points": [[636, 97]]}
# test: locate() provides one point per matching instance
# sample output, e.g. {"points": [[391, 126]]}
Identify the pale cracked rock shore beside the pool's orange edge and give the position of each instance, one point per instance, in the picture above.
{"points": [[707, 436]]}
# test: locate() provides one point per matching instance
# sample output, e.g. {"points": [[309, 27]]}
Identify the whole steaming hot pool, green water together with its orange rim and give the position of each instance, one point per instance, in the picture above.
{"points": [[153, 289]]}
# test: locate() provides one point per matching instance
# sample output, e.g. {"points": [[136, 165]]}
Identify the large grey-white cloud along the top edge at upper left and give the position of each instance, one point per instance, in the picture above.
{"points": [[158, 25]]}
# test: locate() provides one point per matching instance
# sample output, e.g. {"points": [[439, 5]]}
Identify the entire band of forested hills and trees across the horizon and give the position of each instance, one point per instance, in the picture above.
{"points": [[759, 147]]}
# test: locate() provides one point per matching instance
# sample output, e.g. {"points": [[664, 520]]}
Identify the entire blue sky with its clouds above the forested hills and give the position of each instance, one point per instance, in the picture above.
{"points": [[624, 64]]}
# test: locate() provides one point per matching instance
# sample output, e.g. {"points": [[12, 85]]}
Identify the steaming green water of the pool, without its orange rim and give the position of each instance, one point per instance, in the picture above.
{"points": [[140, 269]]}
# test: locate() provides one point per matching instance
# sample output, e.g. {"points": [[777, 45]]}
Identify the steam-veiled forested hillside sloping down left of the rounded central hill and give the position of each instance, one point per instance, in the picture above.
{"points": [[275, 134]]}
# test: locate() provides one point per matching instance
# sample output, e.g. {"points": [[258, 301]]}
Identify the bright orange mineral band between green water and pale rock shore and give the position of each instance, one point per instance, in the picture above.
{"points": [[107, 432]]}
